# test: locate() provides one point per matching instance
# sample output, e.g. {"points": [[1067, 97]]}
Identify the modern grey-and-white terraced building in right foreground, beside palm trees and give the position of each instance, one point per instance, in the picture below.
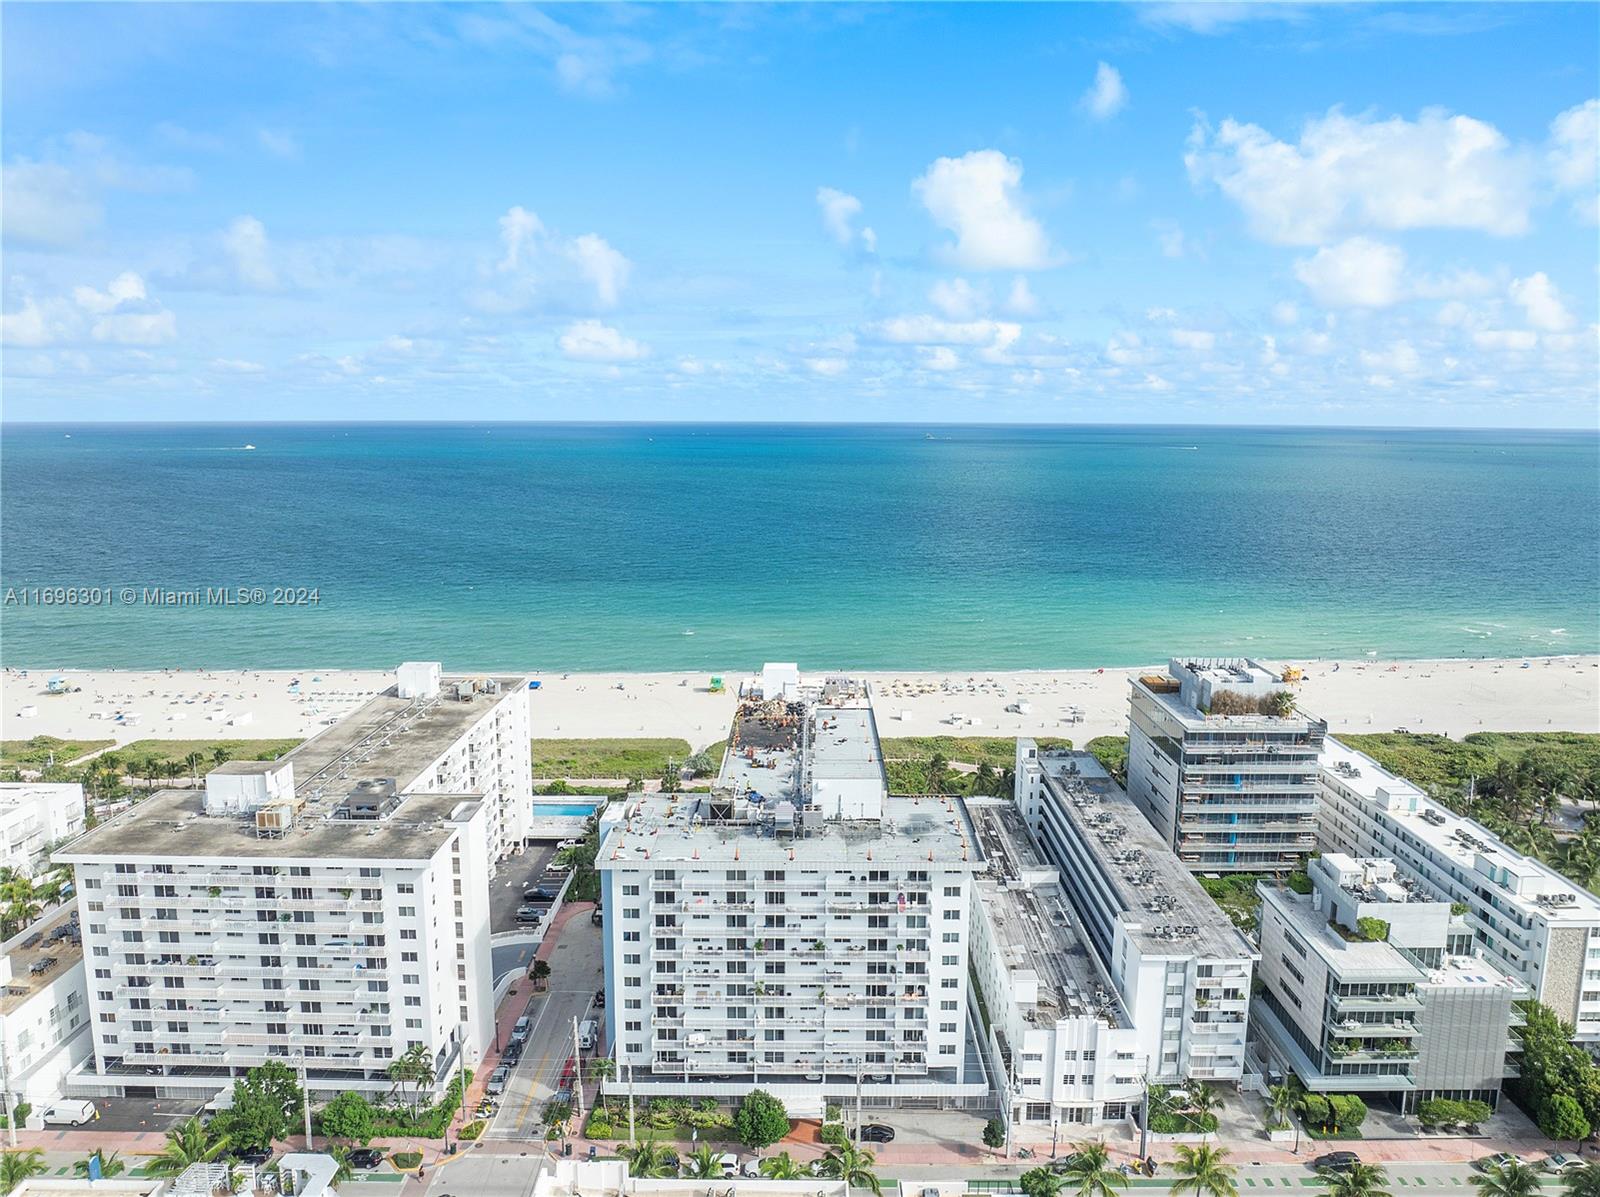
{"points": [[1407, 1017]]}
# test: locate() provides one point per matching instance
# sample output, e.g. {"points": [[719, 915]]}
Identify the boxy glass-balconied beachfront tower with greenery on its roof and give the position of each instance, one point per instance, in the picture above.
{"points": [[1230, 793]]}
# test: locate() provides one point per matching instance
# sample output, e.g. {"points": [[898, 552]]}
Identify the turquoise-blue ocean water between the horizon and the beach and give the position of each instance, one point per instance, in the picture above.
{"points": [[722, 546]]}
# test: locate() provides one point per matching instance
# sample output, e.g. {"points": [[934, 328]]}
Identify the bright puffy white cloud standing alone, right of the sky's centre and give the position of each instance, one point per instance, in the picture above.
{"points": [[978, 198]]}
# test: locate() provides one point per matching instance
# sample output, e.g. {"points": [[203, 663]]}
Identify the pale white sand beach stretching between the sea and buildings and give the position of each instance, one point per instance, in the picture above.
{"points": [[1449, 697]]}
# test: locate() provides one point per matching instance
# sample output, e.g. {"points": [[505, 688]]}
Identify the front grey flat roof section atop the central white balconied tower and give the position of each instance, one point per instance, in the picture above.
{"points": [[726, 831]]}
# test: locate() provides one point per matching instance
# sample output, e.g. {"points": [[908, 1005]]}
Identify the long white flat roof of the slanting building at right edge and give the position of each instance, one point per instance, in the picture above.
{"points": [[1455, 838]]}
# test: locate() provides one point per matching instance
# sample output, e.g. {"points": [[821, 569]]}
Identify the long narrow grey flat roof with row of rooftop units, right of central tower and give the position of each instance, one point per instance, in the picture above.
{"points": [[1164, 907]]}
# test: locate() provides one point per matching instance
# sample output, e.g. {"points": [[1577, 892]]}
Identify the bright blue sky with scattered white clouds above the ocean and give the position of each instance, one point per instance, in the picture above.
{"points": [[1242, 214]]}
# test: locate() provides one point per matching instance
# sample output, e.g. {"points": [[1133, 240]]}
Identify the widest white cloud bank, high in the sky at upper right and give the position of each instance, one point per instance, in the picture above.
{"points": [[1348, 174]]}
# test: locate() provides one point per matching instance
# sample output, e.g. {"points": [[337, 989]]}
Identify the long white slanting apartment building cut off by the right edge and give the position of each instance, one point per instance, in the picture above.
{"points": [[1527, 918]]}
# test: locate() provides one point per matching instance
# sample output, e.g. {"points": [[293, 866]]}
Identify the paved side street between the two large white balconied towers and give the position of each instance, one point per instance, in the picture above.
{"points": [[575, 975]]}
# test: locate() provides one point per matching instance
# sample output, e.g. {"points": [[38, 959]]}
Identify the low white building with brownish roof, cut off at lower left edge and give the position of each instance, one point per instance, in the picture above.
{"points": [[44, 1011]]}
